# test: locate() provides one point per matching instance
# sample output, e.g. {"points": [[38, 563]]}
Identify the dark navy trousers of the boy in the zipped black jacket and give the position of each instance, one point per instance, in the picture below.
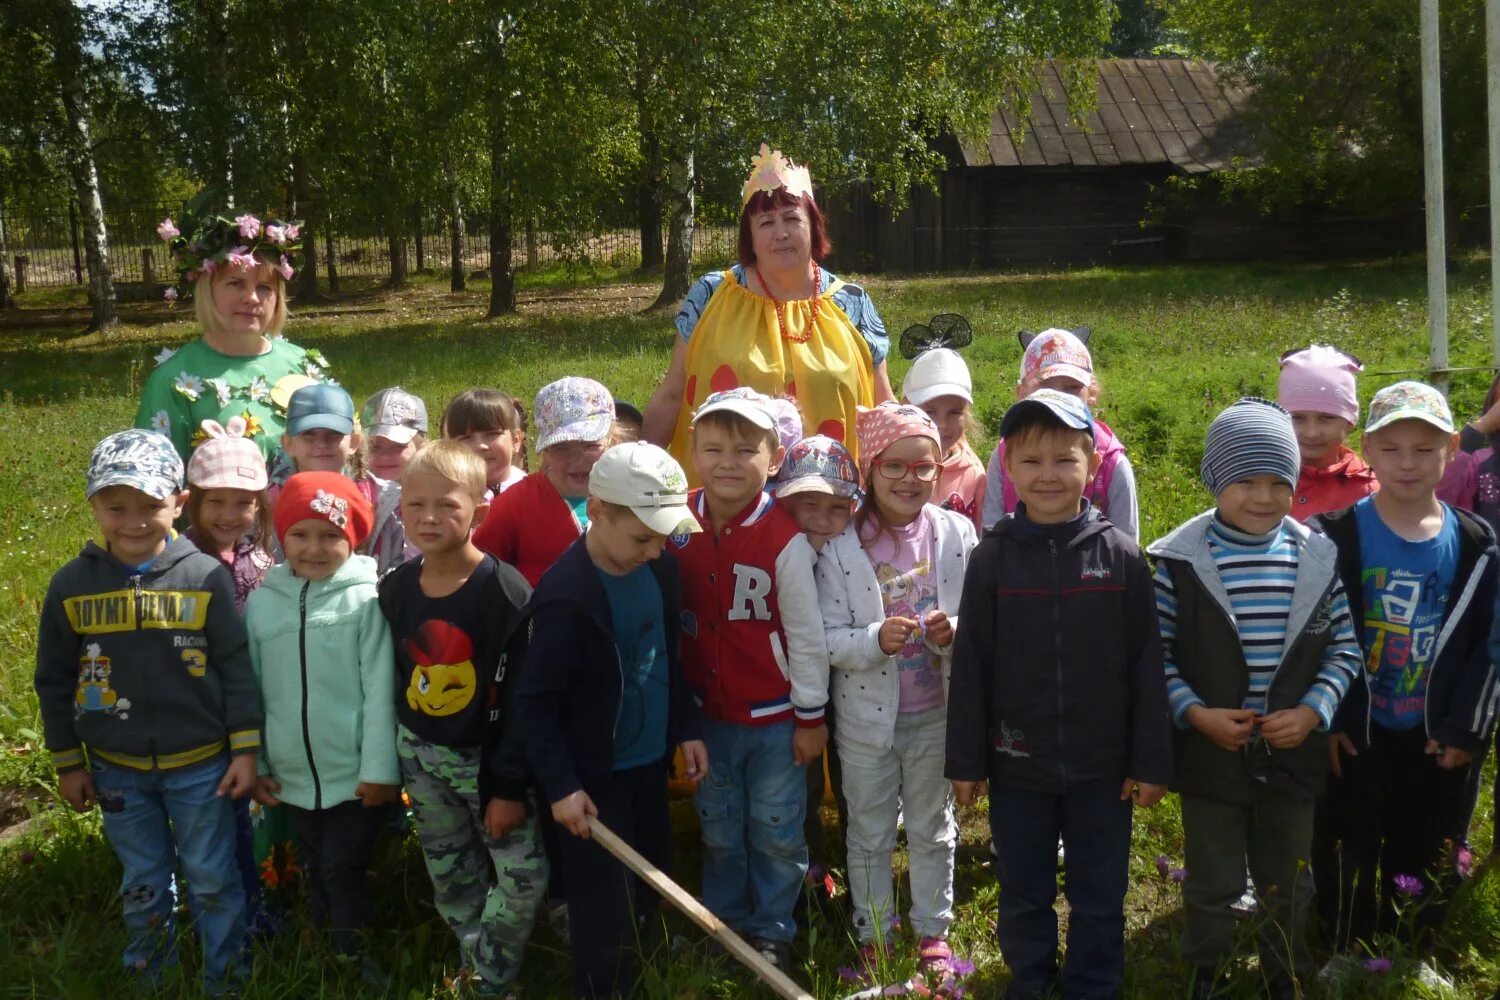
{"points": [[1096, 833]]}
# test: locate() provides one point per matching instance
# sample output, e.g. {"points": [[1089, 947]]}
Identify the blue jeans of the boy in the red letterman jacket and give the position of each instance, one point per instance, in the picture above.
{"points": [[751, 807]]}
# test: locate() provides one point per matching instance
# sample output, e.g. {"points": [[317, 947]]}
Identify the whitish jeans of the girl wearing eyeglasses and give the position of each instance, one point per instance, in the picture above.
{"points": [[881, 783]]}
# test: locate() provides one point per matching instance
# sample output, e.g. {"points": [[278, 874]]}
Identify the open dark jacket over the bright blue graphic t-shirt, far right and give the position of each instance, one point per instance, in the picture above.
{"points": [[1462, 687]]}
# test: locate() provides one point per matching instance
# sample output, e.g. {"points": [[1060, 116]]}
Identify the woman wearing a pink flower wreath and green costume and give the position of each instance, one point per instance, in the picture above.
{"points": [[236, 272]]}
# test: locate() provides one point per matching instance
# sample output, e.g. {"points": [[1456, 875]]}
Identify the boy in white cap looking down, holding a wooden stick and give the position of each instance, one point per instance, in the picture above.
{"points": [[604, 704]]}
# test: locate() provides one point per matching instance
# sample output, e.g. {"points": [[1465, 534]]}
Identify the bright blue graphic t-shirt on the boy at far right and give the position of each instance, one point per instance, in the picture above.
{"points": [[1406, 596]]}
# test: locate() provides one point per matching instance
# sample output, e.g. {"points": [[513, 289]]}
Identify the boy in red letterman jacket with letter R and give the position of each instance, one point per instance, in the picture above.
{"points": [[755, 657]]}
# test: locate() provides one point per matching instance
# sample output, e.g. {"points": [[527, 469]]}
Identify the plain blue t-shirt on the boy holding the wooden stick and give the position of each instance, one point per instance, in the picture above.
{"points": [[635, 611]]}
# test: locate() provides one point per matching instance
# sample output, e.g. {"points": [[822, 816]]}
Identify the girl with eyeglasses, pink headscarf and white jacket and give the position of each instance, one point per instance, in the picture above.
{"points": [[889, 588]]}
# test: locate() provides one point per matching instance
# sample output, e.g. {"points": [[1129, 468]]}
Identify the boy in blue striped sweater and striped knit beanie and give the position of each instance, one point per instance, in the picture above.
{"points": [[1259, 650]]}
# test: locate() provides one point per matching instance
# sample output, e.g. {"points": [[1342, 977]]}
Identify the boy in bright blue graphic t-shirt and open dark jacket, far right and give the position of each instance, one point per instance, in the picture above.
{"points": [[1421, 581]]}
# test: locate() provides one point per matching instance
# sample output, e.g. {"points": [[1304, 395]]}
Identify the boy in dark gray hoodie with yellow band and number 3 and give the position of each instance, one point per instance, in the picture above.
{"points": [[151, 707]]}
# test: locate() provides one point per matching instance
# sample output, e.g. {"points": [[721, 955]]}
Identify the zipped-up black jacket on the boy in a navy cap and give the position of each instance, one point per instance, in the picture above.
{"points": [[1057, 672]]}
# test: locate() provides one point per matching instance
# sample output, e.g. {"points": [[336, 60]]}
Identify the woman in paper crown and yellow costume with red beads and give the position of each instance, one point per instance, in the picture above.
{"points": [[776, 322]]}
